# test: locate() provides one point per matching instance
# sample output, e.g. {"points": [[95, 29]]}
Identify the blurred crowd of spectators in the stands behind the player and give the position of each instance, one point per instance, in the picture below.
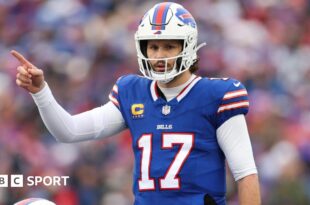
{"points": [[83, 46]]}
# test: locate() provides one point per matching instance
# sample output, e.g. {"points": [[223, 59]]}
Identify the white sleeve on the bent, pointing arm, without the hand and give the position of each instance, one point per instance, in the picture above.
{"points": [[100, 122]]}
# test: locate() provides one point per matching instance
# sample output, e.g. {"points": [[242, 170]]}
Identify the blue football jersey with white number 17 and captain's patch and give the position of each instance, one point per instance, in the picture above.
{"points": [[177, 157]]}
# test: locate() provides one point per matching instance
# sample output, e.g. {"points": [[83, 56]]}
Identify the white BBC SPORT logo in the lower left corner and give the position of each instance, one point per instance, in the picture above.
{"points": [[17, 180]]}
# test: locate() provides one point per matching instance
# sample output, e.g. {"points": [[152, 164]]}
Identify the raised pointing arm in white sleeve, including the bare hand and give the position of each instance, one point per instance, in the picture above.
{"points": [[99, 122]]}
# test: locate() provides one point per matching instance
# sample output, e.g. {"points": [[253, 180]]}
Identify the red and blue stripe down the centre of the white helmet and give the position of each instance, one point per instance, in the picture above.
{"points": [[160, 15]]}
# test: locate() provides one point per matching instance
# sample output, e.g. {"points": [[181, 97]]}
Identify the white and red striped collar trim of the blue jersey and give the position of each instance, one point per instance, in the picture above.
{"points": [[155, 92]]}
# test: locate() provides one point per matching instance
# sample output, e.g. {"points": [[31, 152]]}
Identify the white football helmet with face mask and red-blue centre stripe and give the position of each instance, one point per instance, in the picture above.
{"points": [[167, 21]]}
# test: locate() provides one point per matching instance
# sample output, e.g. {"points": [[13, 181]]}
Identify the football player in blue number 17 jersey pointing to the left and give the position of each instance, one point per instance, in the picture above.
{"points": [[183, 126]]}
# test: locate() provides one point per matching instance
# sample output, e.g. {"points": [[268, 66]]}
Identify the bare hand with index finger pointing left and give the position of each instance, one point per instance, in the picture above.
{"points": [[28, 76]]}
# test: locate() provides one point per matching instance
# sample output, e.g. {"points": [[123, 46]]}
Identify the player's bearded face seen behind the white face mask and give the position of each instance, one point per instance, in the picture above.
{"points": [[158, 49]]}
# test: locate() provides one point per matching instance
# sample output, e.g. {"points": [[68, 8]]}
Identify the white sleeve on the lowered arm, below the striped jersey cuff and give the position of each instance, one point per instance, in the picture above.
{"points": [[234, 140]]}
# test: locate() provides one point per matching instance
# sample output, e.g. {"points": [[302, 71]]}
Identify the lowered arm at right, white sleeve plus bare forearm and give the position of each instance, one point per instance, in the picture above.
{"points": [[235, 142]]}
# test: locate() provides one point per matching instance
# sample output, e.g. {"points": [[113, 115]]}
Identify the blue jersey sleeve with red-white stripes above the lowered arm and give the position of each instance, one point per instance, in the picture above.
{"points": [[233, 101]]}
